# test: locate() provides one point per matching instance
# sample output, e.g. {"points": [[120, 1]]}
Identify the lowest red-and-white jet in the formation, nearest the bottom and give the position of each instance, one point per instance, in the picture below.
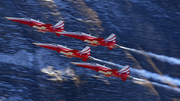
{"points": [[124, 73]]}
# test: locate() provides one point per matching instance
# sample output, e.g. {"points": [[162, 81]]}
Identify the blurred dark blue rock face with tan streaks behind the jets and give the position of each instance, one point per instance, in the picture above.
{"points": [[31, 73]]}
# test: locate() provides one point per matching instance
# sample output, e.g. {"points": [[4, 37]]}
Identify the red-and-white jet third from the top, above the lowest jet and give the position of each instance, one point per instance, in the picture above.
{"points": [[84, 54]]}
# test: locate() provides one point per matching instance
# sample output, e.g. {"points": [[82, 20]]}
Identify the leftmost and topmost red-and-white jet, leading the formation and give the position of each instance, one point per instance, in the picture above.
{"points": [[42, 27]]}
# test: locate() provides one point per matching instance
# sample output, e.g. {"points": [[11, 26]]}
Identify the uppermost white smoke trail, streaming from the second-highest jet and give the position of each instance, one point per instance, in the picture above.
{"points": [[171, 60]]}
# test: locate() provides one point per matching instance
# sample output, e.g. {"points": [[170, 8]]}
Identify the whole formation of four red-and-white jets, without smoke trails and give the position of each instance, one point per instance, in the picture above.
{"points": [[58, 29]]}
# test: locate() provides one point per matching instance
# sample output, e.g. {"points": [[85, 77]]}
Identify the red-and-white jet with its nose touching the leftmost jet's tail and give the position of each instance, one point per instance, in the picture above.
{"points": [[110, 42]]}
